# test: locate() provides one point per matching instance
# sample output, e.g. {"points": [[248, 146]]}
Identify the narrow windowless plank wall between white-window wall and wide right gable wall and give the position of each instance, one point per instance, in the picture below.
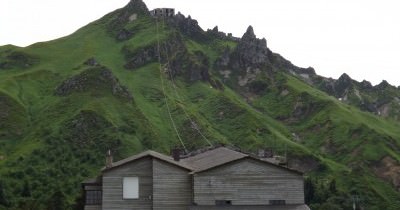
{"points": [[171, 187]]}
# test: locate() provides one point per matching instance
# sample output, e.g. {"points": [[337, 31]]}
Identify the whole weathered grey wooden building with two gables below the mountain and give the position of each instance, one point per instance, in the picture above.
{"points": [[219, 178]]}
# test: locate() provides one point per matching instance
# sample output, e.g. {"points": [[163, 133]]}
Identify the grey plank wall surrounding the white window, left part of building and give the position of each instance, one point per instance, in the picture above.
{"points": [[112, 186]]}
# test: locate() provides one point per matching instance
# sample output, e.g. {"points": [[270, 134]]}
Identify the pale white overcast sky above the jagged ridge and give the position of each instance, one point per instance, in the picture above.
{"points": [[359, 37]]}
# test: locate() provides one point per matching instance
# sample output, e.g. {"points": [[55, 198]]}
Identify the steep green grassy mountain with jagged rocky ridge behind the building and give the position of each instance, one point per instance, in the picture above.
{"points": [[129, 82]]}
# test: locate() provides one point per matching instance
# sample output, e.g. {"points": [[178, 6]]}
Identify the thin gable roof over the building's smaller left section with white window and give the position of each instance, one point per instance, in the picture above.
{"points": [[148, 153]]}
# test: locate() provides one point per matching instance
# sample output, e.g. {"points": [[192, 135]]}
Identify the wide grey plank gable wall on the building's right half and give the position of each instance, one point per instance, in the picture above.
{"points": [[248, 182]]}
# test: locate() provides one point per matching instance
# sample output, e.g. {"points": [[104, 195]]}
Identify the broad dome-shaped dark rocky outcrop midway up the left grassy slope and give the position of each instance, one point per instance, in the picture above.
{"points": [[94, 80]]}
